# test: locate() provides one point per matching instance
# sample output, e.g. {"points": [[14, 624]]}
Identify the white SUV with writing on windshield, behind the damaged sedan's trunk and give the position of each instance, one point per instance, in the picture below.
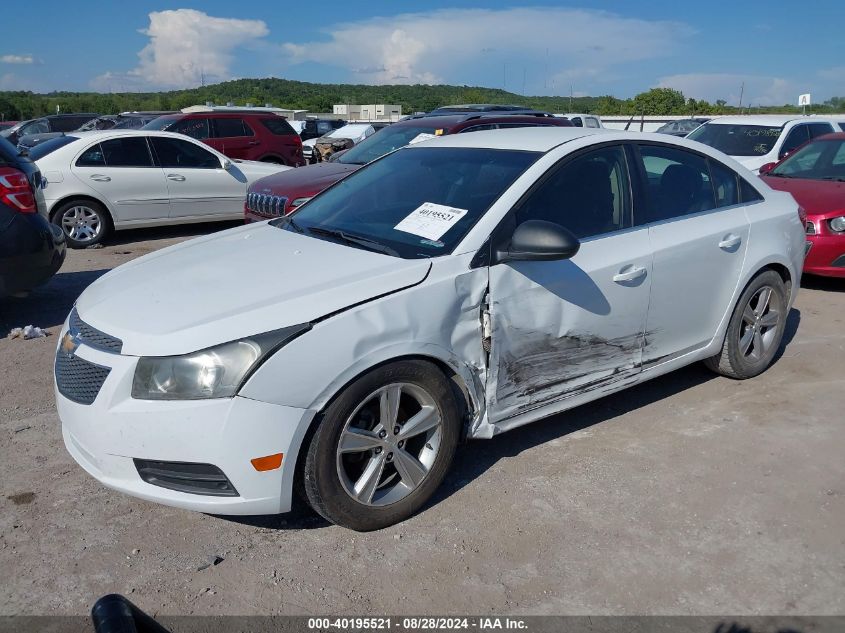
{"points": [[755, 140]]}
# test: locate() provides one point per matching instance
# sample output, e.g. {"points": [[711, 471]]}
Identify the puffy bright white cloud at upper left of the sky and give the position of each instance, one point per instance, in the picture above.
{"points": [[185, 46]]}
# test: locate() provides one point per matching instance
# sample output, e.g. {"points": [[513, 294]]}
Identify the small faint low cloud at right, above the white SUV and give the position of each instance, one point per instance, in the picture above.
{"points": [[758, 90]]}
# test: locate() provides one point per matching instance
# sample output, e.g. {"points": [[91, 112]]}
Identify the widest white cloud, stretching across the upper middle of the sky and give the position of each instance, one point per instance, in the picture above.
{"points": [[448, 44]]}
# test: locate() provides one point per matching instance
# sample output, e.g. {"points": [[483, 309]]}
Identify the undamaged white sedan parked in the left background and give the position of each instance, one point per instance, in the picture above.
{"points": [[120, 179]]}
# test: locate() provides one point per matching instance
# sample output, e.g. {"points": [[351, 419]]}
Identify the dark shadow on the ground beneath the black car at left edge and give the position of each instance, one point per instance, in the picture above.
{"points": [[48, 305]]}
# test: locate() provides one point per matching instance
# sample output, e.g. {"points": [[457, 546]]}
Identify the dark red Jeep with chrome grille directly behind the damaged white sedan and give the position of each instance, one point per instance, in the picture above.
{"points": [[281, 193]]}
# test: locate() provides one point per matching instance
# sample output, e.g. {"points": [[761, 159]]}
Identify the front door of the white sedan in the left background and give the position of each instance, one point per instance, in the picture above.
{"points": [[196, 181]]}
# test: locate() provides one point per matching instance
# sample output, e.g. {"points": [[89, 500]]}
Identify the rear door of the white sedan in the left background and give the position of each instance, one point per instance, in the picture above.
{"points": [[122, 170]]}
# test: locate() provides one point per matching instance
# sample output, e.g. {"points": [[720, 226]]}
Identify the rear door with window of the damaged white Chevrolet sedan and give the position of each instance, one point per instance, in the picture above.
{"points": [[699, 234]]}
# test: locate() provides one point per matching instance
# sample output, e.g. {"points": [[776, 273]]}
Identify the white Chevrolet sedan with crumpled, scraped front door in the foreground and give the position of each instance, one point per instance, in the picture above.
{"points": [[455, 288]]}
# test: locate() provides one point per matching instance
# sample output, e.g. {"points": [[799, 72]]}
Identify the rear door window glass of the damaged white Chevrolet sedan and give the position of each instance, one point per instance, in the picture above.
{"points": [[678, 183]]}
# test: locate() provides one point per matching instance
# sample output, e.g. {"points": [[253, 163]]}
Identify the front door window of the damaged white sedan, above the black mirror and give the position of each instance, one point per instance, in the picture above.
{"points": [[589, 195]]}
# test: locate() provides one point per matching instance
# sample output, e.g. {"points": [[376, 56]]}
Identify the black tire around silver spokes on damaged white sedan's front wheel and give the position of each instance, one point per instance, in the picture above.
{"points": [[325, 489]]}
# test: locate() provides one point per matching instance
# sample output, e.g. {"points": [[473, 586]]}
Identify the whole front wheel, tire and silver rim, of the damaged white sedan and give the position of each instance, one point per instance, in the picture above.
{"points": [[383, 446]]}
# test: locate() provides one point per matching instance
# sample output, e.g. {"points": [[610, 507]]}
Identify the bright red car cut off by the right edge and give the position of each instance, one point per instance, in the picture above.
{"points": [[815, 176]]}
